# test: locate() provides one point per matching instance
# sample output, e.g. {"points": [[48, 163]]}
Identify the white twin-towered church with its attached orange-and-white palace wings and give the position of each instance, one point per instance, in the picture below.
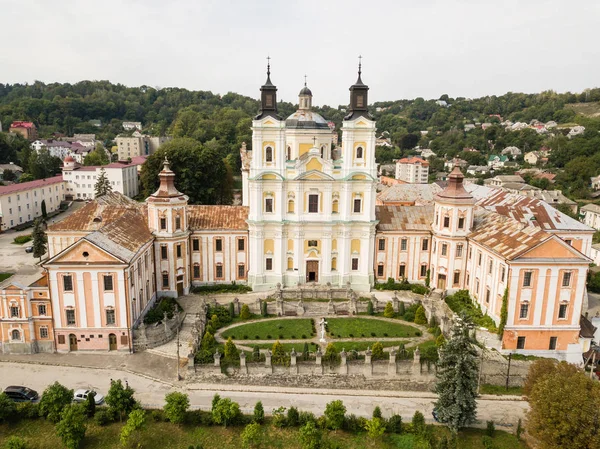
{"points": [[309, 216]]}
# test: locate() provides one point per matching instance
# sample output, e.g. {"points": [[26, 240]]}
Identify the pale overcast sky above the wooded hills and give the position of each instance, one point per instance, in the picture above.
{"points": [[410, 49]]}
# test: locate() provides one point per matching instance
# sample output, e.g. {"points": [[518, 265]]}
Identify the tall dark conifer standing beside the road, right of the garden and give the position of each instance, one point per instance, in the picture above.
{"points": [[457, 374]]}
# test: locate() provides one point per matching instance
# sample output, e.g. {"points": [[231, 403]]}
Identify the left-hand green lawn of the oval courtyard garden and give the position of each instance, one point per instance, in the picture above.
{"points": [[272, 330]]}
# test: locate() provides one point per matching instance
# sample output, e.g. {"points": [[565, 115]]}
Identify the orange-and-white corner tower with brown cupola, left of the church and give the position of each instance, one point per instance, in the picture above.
{"points": [[167, 220]]}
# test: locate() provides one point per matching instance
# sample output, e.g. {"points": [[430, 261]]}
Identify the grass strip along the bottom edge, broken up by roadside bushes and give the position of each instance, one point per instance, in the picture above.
{"points": [[40, 434]]}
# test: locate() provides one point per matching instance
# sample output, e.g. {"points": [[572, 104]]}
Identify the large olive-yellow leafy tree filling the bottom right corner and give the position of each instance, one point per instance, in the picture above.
{"points": [[565, 409]]}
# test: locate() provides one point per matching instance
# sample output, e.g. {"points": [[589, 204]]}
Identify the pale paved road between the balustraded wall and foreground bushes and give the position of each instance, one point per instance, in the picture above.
{"points": [[151, 393]]}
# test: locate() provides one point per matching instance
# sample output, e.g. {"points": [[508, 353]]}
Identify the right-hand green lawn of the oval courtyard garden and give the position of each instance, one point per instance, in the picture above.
{"points": [[364, 327]]}
